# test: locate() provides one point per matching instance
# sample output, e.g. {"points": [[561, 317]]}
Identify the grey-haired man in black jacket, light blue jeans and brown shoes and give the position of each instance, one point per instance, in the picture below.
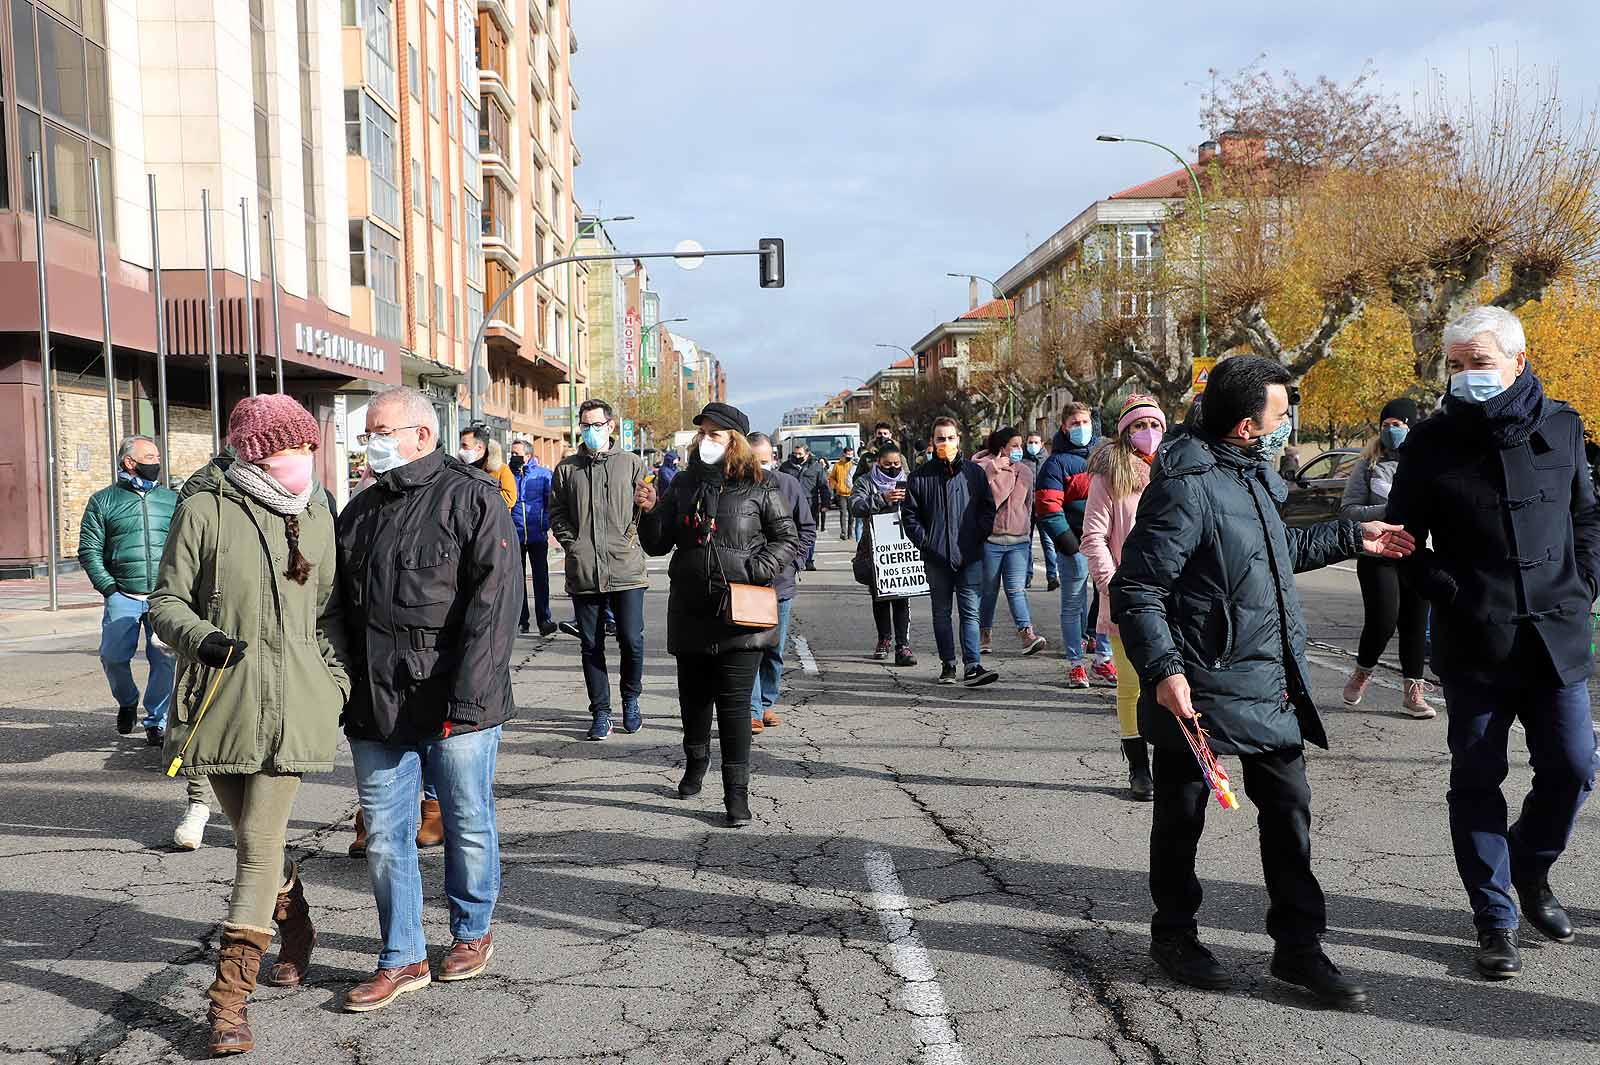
{"points": [[430, 570]]}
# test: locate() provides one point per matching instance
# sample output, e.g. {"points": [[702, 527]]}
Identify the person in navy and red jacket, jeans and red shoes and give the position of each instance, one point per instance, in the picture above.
{"points": [[1058, 505]]}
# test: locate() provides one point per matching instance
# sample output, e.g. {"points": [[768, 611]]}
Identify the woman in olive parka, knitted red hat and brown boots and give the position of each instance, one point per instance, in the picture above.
{"points": [[247, 599]]}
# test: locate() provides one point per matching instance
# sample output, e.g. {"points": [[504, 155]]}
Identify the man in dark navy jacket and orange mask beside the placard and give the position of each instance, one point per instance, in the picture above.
{"points": [[950, 514]]}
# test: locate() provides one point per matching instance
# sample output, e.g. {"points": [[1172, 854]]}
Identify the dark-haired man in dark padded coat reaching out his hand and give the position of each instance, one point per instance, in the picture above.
{"points": [[1206, 602]]}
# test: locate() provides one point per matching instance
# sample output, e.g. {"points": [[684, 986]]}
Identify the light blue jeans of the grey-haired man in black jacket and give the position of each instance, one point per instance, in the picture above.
{"points": [[388, 780]]}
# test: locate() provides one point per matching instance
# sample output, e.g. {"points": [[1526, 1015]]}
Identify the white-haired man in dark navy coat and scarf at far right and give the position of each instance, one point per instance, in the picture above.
{"points": [[1498, 479]]}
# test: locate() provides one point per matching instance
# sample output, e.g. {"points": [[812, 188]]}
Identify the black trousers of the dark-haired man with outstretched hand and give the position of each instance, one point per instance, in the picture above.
{"points": [[1279, 791]]}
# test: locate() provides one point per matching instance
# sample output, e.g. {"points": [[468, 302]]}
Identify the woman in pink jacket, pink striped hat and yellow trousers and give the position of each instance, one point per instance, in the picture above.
{"points": [[1119, 471]]}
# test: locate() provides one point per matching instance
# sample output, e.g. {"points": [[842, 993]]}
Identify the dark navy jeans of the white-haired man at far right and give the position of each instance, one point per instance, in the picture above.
{"points": [[1562, 749]]}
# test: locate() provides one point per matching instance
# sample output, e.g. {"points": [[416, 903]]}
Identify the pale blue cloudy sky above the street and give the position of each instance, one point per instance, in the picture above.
{"points": [[890, 142]]}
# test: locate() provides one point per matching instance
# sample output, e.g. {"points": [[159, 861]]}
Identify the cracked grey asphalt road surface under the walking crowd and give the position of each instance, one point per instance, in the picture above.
{"points": [[634, 928]]}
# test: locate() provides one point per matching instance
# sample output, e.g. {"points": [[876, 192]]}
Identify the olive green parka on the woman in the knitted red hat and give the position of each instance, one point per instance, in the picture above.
{"points": [[279, 708]]}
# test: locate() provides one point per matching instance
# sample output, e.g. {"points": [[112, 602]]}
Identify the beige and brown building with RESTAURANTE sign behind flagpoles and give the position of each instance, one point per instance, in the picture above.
{"points": [[238, 98]]}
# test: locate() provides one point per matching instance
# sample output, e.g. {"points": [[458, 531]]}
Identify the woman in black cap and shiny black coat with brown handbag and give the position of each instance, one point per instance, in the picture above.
{"points": [[727, 524]]}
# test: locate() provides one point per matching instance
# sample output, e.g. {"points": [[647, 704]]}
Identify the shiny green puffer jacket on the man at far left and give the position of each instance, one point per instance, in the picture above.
{"points": [[122, 536]]}
